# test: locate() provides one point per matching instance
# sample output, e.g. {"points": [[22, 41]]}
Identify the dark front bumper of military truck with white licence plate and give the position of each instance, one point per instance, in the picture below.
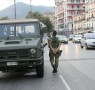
{"points": [[21, 64]]}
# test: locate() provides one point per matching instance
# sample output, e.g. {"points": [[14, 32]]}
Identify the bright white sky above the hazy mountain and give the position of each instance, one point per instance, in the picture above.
{"points": [[6, 3]]}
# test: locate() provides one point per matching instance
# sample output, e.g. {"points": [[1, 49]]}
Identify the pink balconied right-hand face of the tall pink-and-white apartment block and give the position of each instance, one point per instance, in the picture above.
{"points": [[71, 8]]}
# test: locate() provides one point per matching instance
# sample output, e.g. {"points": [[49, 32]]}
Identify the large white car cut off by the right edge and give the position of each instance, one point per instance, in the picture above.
{"points": [[88, 41]]}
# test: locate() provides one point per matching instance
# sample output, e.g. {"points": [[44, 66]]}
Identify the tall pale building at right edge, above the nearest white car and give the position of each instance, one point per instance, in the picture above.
{"points": [[90, 15]]}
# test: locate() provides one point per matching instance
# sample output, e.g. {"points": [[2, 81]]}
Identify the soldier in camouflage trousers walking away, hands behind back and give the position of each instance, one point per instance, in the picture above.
{"points": [[54, 53]]}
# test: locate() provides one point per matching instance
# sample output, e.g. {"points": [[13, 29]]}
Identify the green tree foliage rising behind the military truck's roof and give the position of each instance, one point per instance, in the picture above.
{"points": [[42, 19]]}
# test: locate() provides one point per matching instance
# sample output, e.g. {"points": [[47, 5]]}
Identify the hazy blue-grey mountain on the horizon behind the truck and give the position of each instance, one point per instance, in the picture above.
{"points": [[22, 9]]}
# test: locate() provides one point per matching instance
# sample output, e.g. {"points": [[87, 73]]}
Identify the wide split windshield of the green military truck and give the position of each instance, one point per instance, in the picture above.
{"points": [[18, 29]]}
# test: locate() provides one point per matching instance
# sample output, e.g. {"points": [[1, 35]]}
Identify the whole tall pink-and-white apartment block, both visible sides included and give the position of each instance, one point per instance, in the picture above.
{"points": [[64, 12]]}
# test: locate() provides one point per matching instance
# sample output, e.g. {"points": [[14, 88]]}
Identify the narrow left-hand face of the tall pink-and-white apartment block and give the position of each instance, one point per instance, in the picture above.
{"points": [[59, 15]]}
